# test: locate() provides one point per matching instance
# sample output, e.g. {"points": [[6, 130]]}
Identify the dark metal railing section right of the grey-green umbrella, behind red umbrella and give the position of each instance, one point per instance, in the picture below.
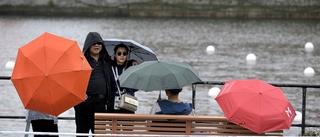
{"points": [[303, 124]]}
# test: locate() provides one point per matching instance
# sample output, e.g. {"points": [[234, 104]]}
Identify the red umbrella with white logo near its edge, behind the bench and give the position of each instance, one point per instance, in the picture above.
{"points": [[255, 105]]}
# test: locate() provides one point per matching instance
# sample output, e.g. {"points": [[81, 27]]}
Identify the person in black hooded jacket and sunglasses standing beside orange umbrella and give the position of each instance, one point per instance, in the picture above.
{"points": [[98, 90]]}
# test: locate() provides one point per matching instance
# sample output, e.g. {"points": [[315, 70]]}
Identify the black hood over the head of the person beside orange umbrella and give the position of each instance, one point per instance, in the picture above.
{"points": [[92, 38]]}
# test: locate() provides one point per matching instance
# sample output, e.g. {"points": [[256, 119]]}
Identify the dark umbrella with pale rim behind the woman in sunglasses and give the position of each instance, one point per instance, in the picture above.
{"points": [[136, 51]]}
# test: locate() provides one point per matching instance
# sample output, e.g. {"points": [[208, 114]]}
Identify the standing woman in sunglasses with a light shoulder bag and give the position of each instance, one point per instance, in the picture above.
{"points": [[119, 65]]}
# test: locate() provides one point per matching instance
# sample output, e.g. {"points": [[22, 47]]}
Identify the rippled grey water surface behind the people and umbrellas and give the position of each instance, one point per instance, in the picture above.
{"points": [[278, 45]]}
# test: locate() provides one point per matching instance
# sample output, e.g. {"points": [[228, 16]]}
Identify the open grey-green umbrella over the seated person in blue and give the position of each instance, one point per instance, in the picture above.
{"points": [[159, 75]]}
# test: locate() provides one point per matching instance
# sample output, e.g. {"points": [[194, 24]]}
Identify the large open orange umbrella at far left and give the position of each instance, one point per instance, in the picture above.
{"points": [[51, 74]]}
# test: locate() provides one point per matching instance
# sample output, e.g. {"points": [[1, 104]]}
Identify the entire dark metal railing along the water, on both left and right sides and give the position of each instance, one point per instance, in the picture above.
{"points": [[304, 88]]}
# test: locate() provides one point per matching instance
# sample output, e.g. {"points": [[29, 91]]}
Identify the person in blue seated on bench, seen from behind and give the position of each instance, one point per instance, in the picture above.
{"points": [[173, 105]]}
